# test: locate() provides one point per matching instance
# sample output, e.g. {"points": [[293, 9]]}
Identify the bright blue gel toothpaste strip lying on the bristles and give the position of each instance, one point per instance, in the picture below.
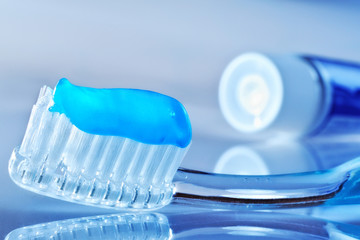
{"points": [[140, 115]]}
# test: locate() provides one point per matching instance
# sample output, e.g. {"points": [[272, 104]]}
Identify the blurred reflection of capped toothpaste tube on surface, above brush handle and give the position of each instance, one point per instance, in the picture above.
{"points": [[285, 157]]}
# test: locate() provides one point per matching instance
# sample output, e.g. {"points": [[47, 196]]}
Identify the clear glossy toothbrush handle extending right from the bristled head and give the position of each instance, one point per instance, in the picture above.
{"points": [[258, 191]]}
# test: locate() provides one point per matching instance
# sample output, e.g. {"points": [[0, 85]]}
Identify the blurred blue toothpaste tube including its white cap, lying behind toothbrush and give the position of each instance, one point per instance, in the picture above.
{"points": [[290, 95]]}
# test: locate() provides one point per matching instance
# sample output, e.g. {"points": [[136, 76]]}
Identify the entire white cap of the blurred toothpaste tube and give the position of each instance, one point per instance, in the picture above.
{"points": [[271, 94]]}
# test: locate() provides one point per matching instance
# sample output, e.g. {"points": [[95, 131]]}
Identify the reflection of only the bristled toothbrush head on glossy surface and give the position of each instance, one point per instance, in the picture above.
{"points": [[119, 226]]}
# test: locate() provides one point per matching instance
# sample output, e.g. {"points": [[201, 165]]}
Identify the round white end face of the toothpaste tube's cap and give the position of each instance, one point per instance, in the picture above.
{"points": [[247, 95]]}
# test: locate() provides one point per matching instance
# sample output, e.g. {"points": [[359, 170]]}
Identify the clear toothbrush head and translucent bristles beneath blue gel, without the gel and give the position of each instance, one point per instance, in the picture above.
{"points": [[59, 160]]}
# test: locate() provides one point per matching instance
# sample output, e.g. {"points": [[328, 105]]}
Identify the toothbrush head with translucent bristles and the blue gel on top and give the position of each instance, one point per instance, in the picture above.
{"points": [[114, 148]]}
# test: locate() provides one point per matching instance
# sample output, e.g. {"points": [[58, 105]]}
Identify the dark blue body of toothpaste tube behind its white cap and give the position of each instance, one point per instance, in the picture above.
{"points": [[342, 86]]}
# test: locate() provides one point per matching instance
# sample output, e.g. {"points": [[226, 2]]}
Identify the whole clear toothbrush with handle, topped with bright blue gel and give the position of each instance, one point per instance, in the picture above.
{"points": [[121, 149]]}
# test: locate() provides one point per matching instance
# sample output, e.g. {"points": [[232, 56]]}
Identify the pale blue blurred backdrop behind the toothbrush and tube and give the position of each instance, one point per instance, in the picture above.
{"points": [[175, 48]]}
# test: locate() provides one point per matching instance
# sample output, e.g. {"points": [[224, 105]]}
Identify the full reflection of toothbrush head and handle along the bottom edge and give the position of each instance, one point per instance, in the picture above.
{"points": [[209, 225]]}
